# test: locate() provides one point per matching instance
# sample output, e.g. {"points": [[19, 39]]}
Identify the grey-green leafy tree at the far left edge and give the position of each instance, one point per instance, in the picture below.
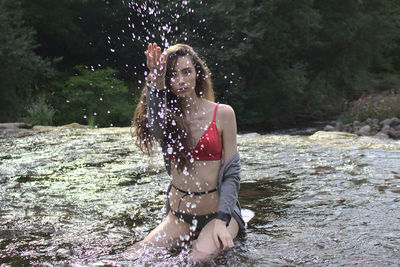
{"points": [[21, 69]]}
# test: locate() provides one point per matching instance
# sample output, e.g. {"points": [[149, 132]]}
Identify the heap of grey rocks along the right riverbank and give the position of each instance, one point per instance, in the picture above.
{"points": [[389, 128]]}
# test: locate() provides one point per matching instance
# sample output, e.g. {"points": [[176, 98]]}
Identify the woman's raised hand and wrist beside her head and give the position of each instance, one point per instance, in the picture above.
{"points": [[157, 64]]}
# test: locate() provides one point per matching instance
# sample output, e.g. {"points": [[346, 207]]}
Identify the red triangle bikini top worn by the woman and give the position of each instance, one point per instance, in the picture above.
{"points": [[209, 146]]}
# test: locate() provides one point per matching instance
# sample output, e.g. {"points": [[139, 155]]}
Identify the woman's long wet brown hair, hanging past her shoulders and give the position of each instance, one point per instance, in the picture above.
{"points": [[177, 135]]}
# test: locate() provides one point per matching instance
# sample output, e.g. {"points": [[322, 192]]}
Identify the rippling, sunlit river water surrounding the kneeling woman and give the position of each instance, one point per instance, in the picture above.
{"points": [[78, 196]]}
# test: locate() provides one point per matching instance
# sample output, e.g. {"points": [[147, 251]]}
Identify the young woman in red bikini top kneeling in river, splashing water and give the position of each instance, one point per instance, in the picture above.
{"points": [[198, 140]]}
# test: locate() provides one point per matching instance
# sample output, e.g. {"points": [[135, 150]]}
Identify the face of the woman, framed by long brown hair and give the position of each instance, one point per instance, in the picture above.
{"points": [[183, 77]]}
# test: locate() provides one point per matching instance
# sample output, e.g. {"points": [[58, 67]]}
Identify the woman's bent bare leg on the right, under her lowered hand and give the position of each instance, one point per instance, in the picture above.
{"points": [[204, 247]]}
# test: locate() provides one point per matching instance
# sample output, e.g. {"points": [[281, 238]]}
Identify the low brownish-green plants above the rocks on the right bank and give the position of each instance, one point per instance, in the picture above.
{"points": [[380, 106]]}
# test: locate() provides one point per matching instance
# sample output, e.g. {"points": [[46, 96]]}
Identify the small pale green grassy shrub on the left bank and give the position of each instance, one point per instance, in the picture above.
{"points": [[40, 113]]}
